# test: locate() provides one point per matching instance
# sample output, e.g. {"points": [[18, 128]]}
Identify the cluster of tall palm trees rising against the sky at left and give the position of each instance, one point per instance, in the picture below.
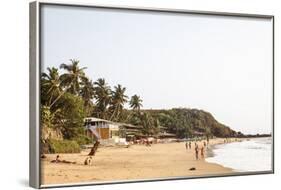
{"points": [[99, 99]]}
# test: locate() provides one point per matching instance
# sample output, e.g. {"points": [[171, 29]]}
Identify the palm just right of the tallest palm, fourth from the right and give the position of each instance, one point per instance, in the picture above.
{"points": [[87, 93]]}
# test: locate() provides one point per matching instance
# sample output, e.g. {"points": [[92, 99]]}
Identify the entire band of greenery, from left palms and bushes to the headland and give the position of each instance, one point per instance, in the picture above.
{"points": [[68, 96]]}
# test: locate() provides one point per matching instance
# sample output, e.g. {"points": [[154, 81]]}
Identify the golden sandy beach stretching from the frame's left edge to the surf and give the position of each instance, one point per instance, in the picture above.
{"points": [[135, 162]]}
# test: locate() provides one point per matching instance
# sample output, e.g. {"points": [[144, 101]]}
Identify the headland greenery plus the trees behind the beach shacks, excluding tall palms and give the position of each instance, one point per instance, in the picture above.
{"points": [[183, 122]]}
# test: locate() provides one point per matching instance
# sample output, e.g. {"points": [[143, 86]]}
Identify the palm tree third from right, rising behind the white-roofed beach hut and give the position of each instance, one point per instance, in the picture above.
{"points": [[102, 96]]}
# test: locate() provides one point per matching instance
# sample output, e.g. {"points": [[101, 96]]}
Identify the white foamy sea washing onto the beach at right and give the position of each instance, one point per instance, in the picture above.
{"points": [[250, 155]]}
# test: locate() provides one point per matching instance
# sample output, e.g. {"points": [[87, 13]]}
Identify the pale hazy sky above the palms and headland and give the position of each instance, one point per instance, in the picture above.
{"points": [[219, 64]]}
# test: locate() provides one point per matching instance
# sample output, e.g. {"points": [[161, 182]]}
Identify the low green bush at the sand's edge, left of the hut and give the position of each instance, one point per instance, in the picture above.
{"points": [[63, 146]]}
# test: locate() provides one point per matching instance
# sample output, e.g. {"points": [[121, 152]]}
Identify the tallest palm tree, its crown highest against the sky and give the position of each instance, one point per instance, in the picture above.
{"points": [[72, 78]]}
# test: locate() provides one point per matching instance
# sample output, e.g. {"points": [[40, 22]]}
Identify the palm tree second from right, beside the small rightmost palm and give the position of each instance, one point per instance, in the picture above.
{"points": [[117, 102]]}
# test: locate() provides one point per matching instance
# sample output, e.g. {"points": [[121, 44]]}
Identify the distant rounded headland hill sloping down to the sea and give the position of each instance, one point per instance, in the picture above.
{"points": [[189, 122]]}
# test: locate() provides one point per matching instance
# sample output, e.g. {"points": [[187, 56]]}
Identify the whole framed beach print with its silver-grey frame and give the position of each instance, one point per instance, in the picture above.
{"points": [[131, 94]]}
